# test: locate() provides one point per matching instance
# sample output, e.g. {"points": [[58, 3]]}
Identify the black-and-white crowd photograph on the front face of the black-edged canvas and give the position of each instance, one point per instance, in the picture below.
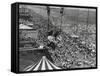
{"points": [[56, 38]]}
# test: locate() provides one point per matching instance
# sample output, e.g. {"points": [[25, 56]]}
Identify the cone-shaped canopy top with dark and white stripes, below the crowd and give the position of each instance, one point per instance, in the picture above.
{"points": [[43, 64]]}
